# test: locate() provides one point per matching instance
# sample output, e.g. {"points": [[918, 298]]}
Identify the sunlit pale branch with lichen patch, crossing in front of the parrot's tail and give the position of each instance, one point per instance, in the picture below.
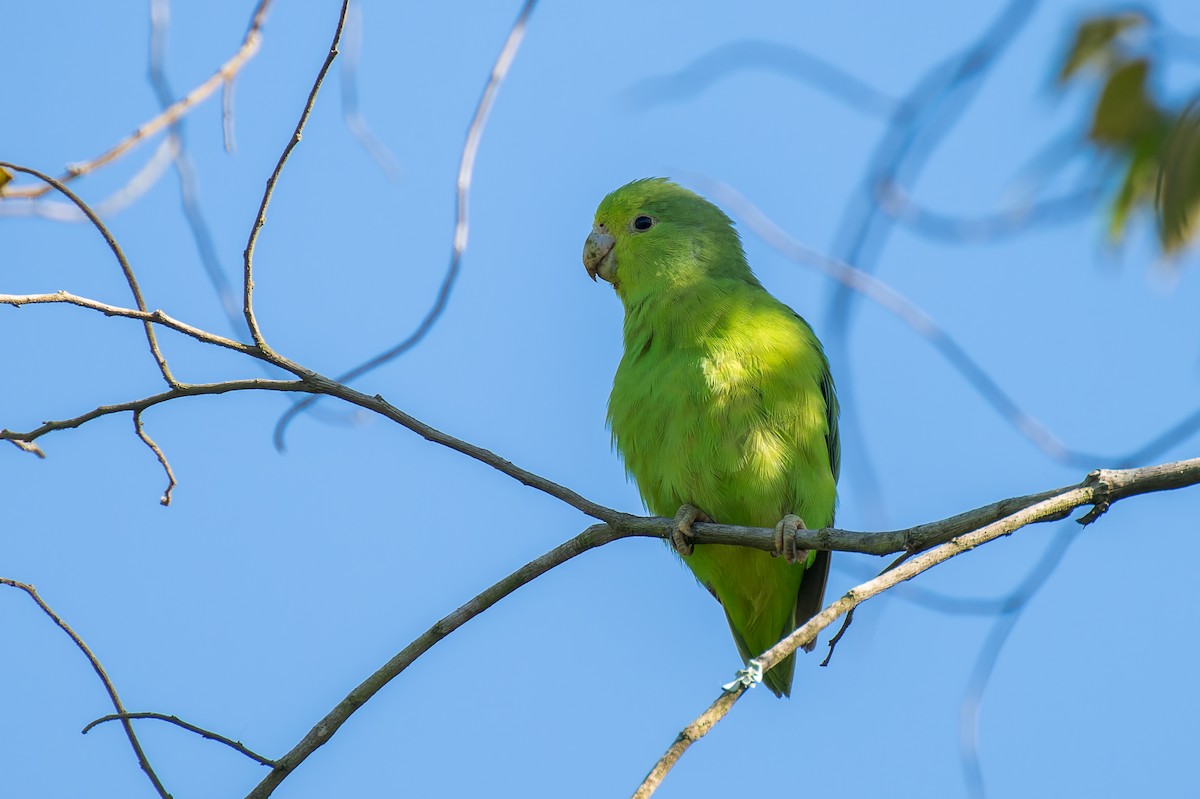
{"points": [[1100, 490]]}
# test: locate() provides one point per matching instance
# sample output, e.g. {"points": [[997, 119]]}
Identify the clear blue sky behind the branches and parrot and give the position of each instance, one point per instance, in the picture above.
{"points": [[275, 584]]}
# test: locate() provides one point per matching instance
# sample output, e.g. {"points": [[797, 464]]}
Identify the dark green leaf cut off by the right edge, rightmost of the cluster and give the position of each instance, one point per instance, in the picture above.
{"points": [[1178, 196]]}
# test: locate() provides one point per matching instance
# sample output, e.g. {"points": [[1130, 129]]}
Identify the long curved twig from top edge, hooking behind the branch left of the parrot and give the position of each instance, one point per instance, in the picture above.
{"points": [[461, 225]]}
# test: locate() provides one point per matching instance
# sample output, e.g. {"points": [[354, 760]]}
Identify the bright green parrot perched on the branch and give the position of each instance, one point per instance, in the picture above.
{"points": [[723, 407]]}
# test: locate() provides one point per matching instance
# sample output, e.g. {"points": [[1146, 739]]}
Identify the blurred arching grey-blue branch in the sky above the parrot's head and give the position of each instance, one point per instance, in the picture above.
{"points": [[771, 57]]}
